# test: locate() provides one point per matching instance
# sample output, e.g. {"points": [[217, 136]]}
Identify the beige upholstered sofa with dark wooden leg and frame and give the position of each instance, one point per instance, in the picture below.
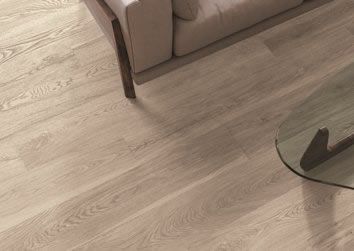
{"points": [[151, 39]]}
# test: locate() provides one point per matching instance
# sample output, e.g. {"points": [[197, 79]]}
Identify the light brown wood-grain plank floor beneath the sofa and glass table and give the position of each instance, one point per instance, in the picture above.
{"points": [[189, 165]]}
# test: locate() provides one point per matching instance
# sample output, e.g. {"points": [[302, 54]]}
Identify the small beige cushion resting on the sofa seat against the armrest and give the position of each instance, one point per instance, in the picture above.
{"points": [[185, 9]]}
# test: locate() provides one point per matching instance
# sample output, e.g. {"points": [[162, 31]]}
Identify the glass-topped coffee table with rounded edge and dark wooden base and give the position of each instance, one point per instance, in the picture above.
{"points": [[316, 141]]}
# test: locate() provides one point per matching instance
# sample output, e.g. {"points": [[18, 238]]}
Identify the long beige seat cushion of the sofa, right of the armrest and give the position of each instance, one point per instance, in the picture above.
{"points": [[217, 19]]}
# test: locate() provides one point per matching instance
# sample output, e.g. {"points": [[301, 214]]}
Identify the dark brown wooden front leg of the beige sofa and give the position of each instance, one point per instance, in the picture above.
{"points": [[123, 61]]}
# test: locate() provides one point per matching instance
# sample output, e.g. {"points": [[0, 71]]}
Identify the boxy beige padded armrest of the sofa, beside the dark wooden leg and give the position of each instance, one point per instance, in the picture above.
{"points": [[147, 27]]}
